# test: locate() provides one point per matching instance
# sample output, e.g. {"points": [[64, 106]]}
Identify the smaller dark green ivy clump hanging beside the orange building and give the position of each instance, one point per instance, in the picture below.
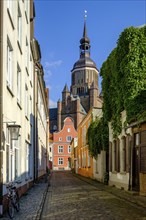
{"points": [[97, 135]]}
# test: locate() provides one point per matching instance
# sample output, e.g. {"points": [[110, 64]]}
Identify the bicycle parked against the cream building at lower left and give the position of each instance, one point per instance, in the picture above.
{"points": [[13, 199]]}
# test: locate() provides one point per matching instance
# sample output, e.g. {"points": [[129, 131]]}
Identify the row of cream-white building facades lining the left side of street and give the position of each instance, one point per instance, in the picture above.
{"points": [[21, 160]]}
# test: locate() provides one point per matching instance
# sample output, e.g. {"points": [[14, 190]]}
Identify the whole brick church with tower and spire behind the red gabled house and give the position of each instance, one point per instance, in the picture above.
{"points": [[83, 93]]}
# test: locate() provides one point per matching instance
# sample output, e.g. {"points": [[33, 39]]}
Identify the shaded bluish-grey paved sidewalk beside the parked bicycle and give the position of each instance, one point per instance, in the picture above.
{"points": [[31, 203]]}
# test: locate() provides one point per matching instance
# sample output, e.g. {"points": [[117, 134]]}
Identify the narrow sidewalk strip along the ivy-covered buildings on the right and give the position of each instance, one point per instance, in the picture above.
{"points": [[130, 196]]}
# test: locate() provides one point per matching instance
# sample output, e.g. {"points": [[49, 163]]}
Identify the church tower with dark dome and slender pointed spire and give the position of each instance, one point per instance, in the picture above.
{"points": [[84, 82]]}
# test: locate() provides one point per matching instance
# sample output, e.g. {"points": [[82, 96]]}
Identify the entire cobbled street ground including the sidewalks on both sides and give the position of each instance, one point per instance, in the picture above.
{"points": [[73, 197]]}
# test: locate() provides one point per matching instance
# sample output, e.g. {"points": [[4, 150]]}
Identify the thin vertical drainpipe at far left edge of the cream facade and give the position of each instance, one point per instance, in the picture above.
{"points": [[1, 109]]}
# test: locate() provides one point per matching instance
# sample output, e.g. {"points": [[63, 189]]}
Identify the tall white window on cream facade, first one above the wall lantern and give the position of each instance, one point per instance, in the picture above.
{"points": [[9, 64]]}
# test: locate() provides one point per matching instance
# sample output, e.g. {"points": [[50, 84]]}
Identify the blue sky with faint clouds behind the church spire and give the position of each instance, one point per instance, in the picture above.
{"points": [[59, 28]]}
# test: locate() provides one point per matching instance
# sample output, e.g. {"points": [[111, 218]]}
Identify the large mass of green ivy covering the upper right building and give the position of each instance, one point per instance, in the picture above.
{"points": [[124, 79]]}
